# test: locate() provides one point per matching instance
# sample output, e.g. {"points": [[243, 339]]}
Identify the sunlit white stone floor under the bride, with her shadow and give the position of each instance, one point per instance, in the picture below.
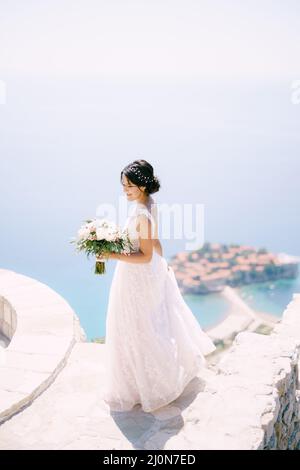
{"points": [[71, 413]]}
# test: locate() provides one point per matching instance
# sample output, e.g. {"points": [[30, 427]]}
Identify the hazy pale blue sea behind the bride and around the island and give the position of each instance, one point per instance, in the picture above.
{"points": [[61, 160]]}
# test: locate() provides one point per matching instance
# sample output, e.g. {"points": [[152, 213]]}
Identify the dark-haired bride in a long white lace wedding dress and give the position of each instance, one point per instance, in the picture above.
{"points": [[154, 345]]}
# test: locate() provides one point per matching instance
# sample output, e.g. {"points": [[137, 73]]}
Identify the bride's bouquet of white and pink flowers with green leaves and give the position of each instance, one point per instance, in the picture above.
{"points": [[100, 236]]}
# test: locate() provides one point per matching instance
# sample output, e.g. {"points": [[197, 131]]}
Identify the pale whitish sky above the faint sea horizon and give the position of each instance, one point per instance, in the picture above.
{"points": [[155, 39]]}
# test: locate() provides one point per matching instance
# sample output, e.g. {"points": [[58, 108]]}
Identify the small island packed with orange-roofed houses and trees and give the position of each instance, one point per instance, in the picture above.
{"points": [[216, 265]]}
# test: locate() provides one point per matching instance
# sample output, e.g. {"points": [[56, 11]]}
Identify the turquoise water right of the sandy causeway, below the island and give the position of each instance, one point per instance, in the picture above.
{"points": [[270, 297]]}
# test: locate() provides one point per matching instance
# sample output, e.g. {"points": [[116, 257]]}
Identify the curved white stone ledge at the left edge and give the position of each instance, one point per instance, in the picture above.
{"points": [[41, 329]]}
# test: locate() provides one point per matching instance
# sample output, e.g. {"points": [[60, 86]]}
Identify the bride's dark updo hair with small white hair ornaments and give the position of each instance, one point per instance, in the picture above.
{"points": [[140, 173]]}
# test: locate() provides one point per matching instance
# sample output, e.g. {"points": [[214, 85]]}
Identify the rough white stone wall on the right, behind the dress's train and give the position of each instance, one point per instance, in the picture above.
{"points": [[258, 382]]}
